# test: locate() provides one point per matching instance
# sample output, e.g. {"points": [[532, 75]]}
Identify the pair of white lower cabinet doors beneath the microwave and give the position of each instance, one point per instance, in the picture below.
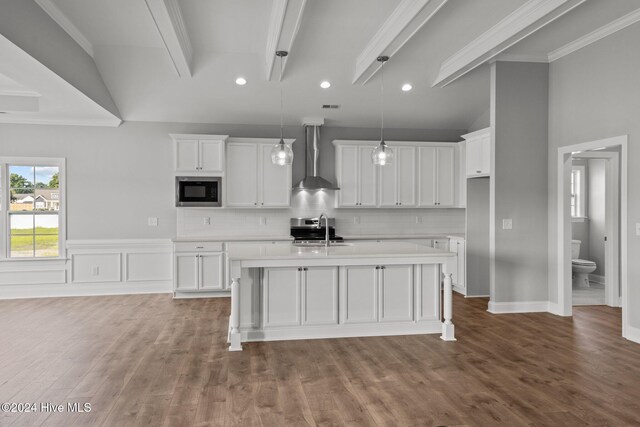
{"points": [[198, 272]]}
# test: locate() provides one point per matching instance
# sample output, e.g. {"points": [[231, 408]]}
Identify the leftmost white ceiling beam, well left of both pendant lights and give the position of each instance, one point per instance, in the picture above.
{"points": [[167, 16]]}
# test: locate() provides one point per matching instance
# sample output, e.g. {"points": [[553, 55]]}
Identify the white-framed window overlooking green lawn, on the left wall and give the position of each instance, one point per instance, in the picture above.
{"points": [[33, 210]]}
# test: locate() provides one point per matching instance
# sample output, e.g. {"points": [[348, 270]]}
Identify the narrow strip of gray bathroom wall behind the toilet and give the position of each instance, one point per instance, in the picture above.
{"points": [[596, 212]]}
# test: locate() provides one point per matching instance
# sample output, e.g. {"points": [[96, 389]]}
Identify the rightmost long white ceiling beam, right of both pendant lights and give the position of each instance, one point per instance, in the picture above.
{"points": [[524, 21]]}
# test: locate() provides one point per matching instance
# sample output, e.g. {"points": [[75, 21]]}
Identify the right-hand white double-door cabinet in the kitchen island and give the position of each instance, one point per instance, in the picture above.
{"points": [[377, 293]]}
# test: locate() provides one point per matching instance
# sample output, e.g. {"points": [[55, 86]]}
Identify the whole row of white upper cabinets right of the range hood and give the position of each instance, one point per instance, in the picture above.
{"points": [[422, 174]]}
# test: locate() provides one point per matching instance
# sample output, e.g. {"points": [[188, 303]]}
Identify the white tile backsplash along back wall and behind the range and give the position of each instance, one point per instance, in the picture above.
{"points": [[216, 222]]}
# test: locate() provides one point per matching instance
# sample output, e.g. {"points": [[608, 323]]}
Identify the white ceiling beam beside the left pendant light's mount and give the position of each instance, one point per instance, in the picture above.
{"points": [[284, 24]]}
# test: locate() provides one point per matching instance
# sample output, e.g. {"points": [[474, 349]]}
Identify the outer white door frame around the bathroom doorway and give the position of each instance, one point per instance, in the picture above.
{"points": [[564, 287]]}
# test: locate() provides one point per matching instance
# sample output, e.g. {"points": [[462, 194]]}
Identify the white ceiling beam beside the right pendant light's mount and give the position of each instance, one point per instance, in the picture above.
{"points": [[403, 23]]}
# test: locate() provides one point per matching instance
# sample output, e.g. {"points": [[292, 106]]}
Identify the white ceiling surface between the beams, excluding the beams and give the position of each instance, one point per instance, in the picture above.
{"points": [[229, 39]]}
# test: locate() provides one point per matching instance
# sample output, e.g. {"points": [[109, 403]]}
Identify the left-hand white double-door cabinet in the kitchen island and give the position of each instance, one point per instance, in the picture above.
{"points": [[299, 296]]}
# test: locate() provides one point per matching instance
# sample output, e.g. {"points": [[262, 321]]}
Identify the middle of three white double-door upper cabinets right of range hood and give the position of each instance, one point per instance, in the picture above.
{"points": [[398, 179]]}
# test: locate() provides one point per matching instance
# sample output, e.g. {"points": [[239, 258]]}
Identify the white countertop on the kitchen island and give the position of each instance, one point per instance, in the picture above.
{"points": [[261, 251]]}
